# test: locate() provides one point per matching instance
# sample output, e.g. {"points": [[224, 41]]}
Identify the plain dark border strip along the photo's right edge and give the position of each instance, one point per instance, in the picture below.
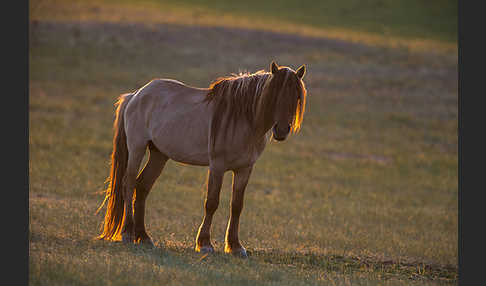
{"points": [[472, 79]]}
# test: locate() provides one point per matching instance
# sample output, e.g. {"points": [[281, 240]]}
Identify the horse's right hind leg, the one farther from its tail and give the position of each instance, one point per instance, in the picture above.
{"points": [[145, 181]]}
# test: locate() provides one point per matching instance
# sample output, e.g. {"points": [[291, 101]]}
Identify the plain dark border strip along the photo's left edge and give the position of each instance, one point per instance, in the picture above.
{"points": [[14, 118]]}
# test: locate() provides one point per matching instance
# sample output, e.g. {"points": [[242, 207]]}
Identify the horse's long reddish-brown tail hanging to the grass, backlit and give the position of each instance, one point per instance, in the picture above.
{"points": [[114, 217]]}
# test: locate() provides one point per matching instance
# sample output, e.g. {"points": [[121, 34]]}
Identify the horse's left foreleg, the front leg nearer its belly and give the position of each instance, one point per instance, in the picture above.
{"points": [[203, 238]]}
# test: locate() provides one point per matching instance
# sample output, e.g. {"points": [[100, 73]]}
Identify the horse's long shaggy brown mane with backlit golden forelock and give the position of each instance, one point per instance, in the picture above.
{"points": [[252, 97]]}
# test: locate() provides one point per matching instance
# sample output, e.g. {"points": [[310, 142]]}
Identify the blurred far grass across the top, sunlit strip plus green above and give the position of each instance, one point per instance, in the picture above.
{"points": [[412, 25]]}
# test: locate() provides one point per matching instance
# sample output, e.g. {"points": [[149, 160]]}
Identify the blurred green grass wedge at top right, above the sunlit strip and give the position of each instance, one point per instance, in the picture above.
{"points": [[412, 19]]}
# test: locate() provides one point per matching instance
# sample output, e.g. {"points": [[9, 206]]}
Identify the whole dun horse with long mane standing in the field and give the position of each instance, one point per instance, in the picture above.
{"points": [[224, 127]]}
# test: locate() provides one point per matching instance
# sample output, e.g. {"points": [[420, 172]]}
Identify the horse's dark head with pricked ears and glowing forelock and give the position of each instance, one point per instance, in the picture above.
{"points": [[290, 100]]}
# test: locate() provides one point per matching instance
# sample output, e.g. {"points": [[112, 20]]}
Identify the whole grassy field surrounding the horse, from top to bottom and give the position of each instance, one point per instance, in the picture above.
{"points": [[365, 194]]}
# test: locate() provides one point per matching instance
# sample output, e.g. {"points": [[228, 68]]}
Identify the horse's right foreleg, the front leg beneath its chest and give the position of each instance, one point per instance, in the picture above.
{"points": [[232, 243]]}
